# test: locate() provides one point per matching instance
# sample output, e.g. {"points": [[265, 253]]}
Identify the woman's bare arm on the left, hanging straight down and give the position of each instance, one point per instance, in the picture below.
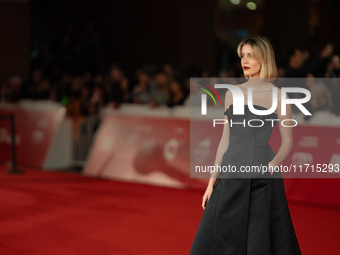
{"points": [[221, 149]]}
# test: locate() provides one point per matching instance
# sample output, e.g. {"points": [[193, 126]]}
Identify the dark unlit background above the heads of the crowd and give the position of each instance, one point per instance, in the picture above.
{"points": [[183, 33]]}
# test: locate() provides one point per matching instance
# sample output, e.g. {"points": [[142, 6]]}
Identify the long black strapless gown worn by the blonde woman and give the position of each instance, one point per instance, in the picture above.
{"points": [[247, 216]]}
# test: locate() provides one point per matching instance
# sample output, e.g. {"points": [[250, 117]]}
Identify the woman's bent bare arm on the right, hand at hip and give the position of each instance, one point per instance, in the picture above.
{"points": [[286, 135]]}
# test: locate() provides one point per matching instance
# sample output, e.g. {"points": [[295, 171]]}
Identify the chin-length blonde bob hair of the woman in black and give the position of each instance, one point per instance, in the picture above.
{"points": [[263, 52]]}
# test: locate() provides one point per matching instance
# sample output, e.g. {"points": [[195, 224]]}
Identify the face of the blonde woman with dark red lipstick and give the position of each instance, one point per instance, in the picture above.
{"points": [[251, 67]]}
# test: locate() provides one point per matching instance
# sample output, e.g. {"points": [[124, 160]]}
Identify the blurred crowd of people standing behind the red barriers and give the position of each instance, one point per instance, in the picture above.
{"points": [[67, 76]]}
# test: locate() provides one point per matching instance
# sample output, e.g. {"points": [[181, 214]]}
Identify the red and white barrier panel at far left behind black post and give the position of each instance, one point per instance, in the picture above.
{"points": [[43, 134]]}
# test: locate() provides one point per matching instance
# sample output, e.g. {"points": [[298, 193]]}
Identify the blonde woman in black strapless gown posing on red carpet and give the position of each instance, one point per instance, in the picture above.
{"points": [[249, 216]]}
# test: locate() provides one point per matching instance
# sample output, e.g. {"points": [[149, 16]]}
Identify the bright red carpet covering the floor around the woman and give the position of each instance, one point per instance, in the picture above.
{"points": [[66, 213]]}
